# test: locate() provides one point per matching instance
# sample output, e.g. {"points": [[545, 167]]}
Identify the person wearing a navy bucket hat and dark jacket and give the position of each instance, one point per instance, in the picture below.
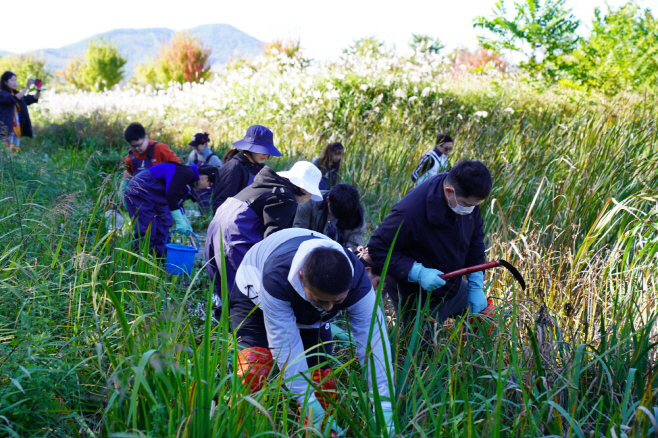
{"points": [[240, 171]]}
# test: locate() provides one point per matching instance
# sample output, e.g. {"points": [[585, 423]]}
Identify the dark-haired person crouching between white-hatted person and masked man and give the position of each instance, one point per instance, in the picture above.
{"points": [[338, 215]]}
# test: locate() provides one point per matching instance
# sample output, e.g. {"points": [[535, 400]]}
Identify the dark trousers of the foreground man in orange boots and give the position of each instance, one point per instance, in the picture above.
{"points": [[249, 324]]}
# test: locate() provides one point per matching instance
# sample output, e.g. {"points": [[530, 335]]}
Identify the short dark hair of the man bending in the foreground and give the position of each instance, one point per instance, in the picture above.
{"points": [[327, 270]]}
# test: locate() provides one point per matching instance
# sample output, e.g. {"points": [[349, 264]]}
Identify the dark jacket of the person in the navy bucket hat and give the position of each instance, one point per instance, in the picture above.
{"points": [[233, 176]]}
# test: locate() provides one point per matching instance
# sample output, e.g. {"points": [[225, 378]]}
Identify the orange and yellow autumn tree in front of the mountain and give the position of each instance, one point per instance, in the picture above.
{"points": [[183, 59]]}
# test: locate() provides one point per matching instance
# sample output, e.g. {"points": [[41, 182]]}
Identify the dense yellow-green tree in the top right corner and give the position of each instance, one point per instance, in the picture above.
{"points": [[621, 52]]}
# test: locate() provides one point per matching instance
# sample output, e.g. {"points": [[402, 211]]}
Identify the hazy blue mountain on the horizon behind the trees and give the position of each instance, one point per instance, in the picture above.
{"points": [[137, 45]]}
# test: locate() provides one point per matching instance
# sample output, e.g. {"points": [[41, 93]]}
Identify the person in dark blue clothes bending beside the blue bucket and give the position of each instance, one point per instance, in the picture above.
{"points": [[154, 197]]}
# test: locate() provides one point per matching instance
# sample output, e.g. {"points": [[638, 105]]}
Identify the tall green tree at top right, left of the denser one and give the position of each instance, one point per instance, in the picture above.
{"points": [[542, 30]]}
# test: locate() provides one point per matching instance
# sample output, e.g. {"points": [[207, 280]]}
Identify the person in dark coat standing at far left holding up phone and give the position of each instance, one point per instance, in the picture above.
{"points": [[14, 117]]}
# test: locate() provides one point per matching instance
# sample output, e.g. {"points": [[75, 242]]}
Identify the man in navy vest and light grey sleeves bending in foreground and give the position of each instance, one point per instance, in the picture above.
{"points": [[287, 289]]}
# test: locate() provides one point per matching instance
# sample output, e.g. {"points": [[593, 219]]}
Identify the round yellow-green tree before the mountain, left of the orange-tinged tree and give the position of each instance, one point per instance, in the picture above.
{"points": [[100, 68]]}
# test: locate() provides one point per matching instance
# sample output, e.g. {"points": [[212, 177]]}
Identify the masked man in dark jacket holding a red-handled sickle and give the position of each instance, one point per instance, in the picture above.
{"points": [[440, 231]]}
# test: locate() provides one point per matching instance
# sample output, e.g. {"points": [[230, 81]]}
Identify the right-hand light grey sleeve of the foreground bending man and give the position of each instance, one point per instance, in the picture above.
{"points": [[360, 316]]}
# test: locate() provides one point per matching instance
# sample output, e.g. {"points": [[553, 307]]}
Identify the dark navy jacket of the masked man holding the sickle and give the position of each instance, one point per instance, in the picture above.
{"points": [[431, 234]]}
